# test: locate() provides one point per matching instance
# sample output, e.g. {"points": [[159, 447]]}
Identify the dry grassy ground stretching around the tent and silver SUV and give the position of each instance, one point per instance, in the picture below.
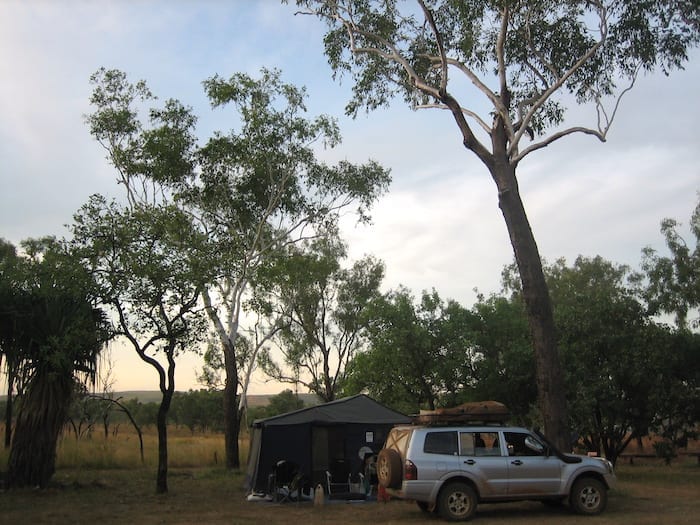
{"points": [[104, 482]]}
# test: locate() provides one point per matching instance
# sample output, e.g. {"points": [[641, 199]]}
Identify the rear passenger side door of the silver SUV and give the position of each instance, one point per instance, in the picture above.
{"points": [[480, 458]]}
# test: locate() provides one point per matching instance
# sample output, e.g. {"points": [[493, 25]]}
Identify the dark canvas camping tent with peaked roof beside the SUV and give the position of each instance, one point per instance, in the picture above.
{"points": [[318, 439]]}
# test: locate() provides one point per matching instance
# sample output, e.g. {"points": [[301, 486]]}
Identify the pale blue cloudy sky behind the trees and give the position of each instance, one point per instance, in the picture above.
{"points": [[438, 227]]}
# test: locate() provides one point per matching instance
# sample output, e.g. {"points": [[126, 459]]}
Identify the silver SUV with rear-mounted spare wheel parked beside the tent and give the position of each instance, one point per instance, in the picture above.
{"points": [[450, 469]]}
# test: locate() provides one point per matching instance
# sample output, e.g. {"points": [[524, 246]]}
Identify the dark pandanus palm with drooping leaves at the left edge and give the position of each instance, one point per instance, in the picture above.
{"points": [[54, 334]]}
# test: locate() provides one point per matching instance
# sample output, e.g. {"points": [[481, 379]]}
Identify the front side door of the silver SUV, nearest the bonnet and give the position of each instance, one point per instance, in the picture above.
{"points": [[531, 471]]}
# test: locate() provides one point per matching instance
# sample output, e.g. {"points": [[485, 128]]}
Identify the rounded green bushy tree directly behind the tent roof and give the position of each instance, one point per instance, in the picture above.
{"points": [[420, 355]]}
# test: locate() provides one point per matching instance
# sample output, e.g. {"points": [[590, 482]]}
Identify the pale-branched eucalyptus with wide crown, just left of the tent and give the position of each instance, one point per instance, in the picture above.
{"points": [[248, 193]]}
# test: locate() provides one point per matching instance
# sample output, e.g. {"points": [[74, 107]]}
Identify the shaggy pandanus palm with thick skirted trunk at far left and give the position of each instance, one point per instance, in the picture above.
{"points": [[60, 336]]}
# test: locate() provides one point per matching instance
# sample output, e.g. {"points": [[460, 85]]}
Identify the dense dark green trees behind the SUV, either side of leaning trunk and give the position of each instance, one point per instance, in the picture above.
{"points": [[627, 373]]}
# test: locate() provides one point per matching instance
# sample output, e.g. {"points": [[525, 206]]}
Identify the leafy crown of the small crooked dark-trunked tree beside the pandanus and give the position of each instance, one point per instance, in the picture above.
{"points": [[145, 263]]}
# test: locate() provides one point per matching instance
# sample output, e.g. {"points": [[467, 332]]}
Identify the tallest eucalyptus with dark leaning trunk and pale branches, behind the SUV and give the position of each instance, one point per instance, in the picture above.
{"points": [[504, 71]]}
